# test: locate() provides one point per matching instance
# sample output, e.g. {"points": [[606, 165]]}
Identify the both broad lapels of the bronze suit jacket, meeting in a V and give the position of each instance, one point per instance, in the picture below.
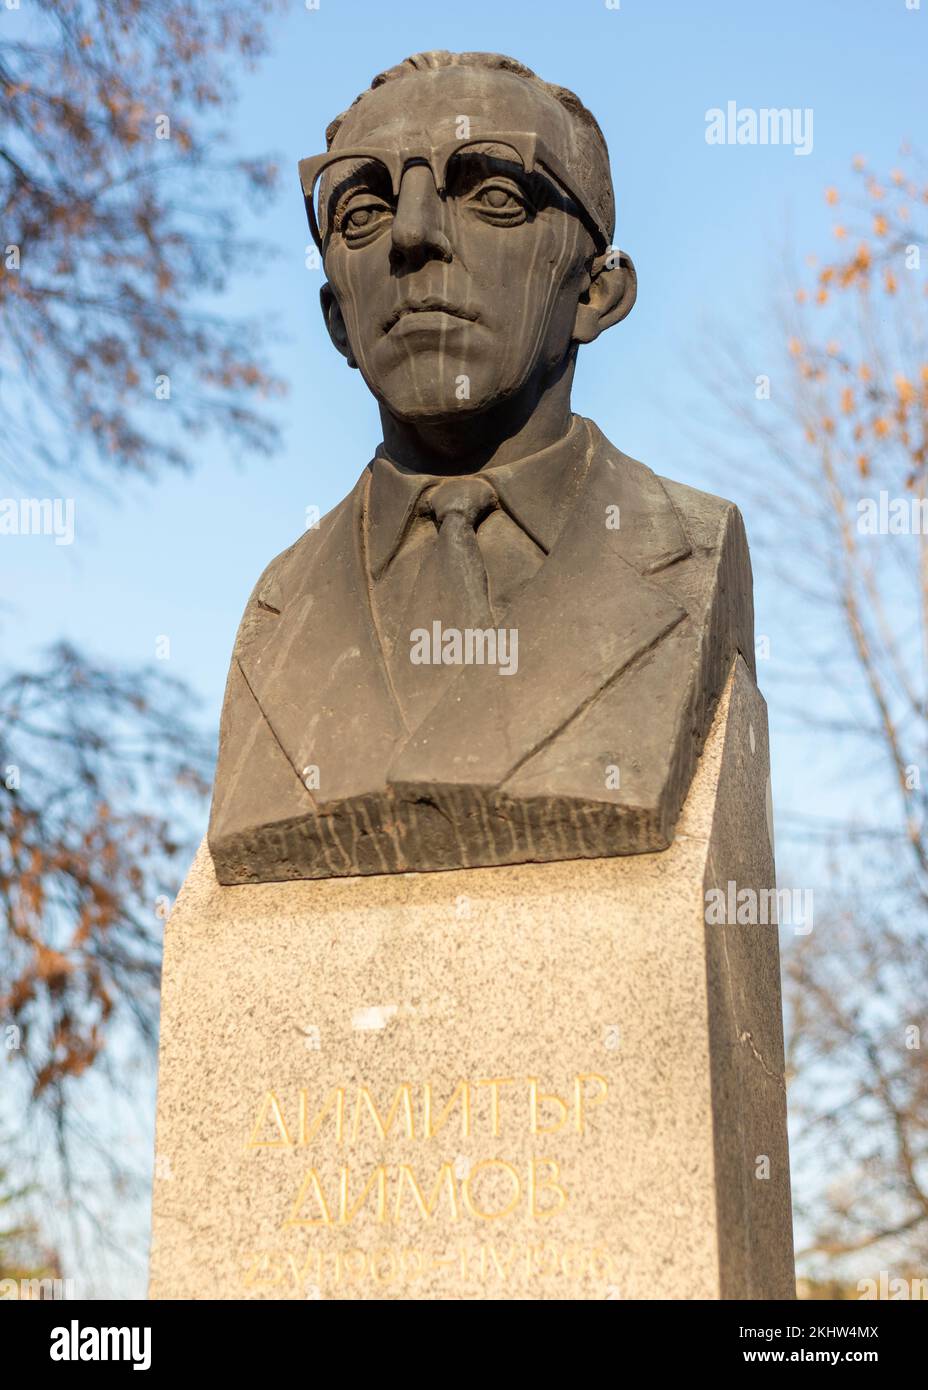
{"points": [[313, 661]]}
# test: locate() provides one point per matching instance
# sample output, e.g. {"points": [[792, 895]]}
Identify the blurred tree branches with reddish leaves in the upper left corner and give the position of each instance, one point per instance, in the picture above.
{"points": [[115, 241]]}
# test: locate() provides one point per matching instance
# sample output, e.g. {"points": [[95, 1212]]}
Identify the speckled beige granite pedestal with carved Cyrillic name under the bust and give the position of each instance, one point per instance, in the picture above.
{"points": [[538, 1082]]}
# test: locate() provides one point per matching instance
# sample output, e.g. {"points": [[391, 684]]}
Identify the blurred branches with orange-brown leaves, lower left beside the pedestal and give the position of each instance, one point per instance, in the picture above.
{"points": [[84, 865]]}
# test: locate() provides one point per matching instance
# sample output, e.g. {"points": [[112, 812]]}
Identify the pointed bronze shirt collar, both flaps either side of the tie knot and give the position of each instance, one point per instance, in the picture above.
{"points": [[538, 493]]}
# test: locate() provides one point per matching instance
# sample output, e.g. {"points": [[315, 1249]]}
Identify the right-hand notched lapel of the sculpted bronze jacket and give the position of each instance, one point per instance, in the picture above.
{"points": [[590, 614]]}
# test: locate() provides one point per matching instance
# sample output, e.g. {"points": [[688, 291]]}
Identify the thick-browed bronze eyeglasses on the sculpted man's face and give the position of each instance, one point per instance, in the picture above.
{"points": [[530, 151]]}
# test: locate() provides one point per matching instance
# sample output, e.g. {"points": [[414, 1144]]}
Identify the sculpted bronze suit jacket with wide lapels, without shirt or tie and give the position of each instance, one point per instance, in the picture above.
{"points": [[626, 640]]}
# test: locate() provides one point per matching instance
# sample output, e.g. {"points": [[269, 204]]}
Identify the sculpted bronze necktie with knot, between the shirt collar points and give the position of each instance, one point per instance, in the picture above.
{"points": [[458, 508]]}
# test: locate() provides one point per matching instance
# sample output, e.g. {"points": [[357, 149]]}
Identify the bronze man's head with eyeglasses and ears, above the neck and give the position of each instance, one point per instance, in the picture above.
{"points": [[458, 277]]}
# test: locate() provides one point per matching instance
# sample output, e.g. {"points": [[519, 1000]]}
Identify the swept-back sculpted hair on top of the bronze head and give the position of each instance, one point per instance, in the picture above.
{"points": [[595, 170]]}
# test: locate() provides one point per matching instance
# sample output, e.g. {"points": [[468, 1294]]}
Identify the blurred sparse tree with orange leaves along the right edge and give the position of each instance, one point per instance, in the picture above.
{"points": [[838, 439]]}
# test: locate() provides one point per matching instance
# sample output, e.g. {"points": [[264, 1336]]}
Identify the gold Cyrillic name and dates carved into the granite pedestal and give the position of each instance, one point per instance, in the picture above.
{"points": [[427, 1184]]}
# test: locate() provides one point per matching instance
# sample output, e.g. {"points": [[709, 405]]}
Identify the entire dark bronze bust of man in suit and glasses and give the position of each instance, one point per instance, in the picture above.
{"points": [[506, 644]]}
